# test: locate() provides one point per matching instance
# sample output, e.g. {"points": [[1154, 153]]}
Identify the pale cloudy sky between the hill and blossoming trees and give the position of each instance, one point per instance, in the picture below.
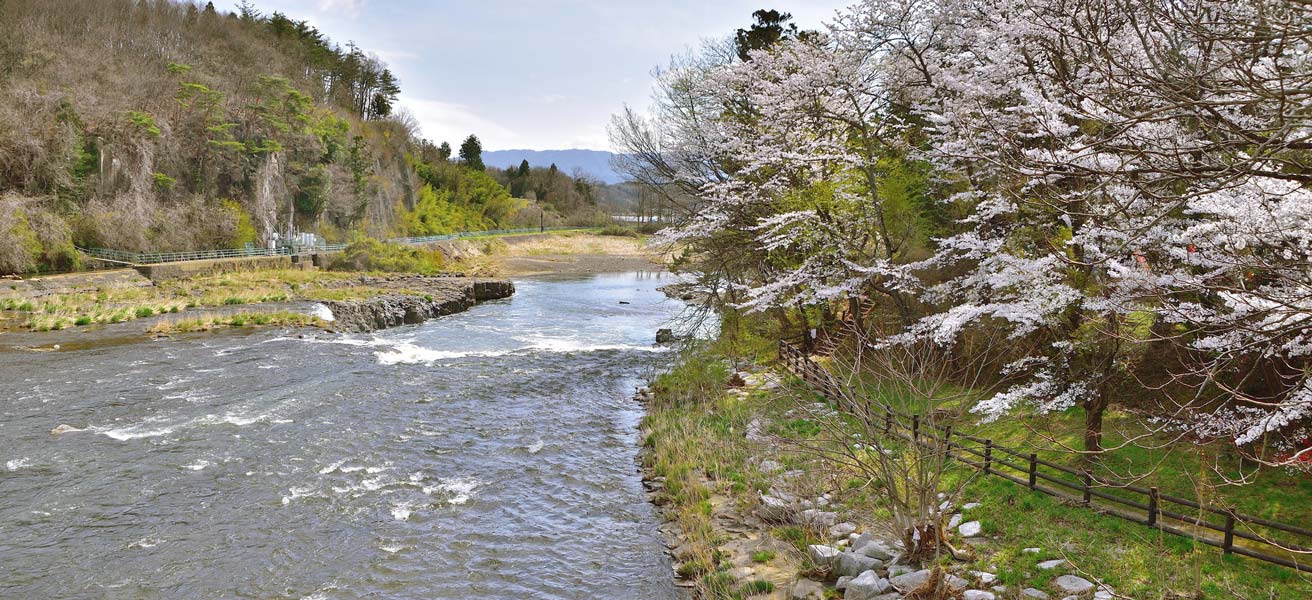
{"points": [[524, 74]]}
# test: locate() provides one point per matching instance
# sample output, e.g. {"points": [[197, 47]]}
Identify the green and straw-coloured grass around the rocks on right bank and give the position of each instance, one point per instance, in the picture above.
{"points": [[695, 439]]}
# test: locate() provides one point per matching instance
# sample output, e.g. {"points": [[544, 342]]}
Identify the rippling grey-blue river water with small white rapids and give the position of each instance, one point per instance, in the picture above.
{"points": [[485, 455]]}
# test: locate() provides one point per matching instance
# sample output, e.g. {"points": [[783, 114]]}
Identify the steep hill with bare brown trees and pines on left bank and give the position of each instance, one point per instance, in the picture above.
{"points": [[157, 125]]}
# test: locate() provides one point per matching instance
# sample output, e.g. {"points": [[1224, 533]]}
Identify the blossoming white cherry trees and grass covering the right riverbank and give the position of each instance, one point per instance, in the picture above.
{"points": [[1011, 219]]}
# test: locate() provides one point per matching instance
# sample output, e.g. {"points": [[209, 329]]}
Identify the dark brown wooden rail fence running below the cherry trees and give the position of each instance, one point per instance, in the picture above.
{"points": [[1234, 532]]}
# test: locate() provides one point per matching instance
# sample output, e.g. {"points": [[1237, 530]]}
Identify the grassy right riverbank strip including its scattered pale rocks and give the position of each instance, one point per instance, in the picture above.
{"points": [[728, 431]]}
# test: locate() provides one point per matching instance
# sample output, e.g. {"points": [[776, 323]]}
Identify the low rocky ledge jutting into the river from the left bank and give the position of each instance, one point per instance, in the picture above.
{"points": [[414, 300]]}
